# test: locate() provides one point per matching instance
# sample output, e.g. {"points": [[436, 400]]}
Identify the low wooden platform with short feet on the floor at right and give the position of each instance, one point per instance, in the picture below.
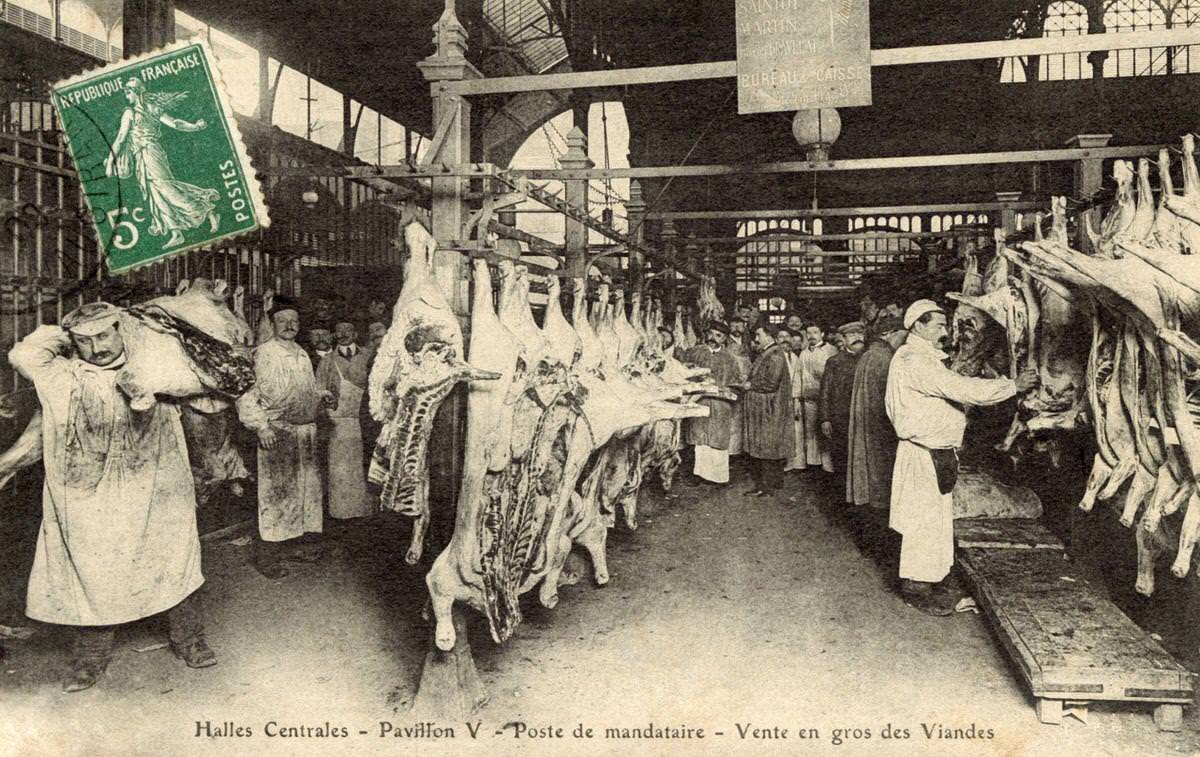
{"points": [[1070, 644]]}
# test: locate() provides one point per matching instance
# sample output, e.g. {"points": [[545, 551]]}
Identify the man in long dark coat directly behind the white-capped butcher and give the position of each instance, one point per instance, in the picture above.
{"points": [[873, 442]]}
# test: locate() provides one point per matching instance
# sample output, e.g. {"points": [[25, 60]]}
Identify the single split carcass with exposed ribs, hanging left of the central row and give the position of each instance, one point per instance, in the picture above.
{"points": [[419, 363]]}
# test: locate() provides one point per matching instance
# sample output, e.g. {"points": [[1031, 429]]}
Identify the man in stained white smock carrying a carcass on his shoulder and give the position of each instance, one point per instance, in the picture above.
{"points": [[118, 540]]}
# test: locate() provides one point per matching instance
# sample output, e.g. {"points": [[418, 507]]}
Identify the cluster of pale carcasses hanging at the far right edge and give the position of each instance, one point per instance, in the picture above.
{"points": [[1145, 310]]}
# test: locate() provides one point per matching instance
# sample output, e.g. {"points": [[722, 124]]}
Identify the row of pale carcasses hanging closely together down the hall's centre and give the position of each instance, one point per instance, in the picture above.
{"points": [[518, 520]]}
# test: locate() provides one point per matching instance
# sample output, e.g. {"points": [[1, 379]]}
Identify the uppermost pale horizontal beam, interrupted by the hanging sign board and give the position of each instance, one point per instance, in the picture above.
{"points": [[895, 57]]}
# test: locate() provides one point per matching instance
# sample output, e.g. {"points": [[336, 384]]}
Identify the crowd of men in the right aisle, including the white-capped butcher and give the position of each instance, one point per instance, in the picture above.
{"points": [[872, 408]]}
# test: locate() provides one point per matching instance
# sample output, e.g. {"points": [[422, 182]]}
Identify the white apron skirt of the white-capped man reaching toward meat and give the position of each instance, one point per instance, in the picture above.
{"points": [[922, 515]]}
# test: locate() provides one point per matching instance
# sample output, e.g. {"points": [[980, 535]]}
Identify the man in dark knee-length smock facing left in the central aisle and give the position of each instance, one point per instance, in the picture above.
{"points": [[769, 436]]}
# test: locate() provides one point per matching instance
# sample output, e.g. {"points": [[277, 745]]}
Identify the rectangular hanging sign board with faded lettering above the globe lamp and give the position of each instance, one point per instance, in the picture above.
{"points": [[802, 55]]}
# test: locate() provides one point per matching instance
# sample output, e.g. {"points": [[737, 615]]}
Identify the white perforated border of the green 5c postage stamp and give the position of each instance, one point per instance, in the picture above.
{"points": [[229, 121]]}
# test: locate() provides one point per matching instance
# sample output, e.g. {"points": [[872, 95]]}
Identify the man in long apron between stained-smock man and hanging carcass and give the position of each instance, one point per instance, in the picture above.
{"points": [[344, 374]]}
